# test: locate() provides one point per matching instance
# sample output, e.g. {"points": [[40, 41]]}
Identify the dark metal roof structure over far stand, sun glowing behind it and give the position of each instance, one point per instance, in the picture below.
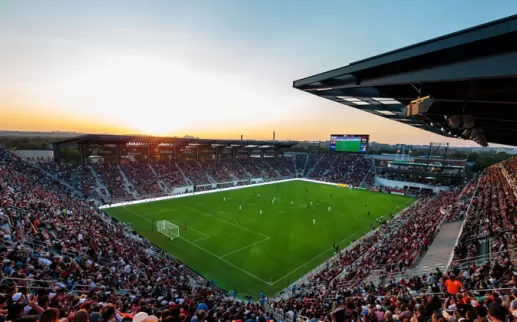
{"points": [[116, 147]]}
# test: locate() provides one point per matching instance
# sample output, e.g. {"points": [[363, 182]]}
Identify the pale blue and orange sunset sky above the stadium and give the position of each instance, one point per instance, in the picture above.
{"points": [[213, 69]]}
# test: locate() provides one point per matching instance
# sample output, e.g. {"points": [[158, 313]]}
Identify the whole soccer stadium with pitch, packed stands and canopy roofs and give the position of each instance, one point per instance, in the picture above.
{"points": [[178, 229]]}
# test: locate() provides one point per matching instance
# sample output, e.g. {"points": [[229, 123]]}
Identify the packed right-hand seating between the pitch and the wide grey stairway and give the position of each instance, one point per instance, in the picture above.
{"points": [[391, 248]]}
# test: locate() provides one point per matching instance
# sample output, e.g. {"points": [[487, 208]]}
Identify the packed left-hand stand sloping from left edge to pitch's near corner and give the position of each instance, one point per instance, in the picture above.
{"points": [[98, 272]]}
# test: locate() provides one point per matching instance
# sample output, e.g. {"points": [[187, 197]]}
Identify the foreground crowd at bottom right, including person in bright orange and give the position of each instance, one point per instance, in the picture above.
{"points": [[459, 295]]}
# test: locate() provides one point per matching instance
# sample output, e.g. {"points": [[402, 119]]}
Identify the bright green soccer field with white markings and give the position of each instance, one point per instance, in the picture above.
{"points": [[249, 251]]}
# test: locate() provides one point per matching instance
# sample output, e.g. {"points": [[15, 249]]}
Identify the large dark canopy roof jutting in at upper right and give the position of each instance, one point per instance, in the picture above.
{"points": [[461, 85]]}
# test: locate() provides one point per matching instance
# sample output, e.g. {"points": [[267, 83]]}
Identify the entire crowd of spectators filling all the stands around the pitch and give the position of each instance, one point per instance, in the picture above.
{"points": [[53, 267]]}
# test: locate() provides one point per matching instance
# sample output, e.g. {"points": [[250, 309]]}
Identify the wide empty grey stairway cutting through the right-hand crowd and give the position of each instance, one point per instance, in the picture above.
{"points": [[440, 251]]}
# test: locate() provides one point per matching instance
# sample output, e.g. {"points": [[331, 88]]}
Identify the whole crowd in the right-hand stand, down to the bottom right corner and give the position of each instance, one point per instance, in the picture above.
{"points": [[473, 289]]}
